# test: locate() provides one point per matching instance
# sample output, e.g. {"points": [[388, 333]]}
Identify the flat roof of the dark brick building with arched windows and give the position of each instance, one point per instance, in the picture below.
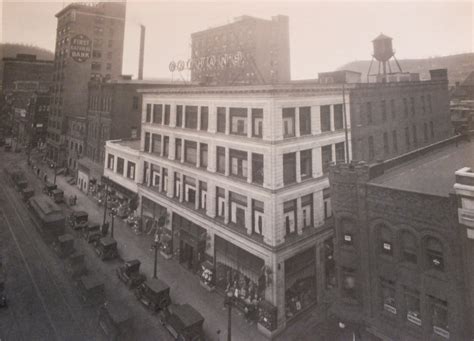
{"points": [[432, 173]]}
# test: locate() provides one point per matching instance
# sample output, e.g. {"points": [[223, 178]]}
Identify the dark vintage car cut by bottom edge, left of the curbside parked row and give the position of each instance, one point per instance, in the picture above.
{"points": [[116, 321]]}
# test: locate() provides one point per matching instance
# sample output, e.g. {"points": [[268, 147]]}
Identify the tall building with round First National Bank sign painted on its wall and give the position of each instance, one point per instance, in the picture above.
{"points": [[89, 45]]}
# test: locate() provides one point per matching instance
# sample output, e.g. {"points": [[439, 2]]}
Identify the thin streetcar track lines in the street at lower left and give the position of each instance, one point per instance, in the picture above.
{"points": [[51, 277]]}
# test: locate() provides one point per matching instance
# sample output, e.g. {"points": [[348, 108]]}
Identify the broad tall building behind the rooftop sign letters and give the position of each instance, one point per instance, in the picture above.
{"points": [[248, 51]]}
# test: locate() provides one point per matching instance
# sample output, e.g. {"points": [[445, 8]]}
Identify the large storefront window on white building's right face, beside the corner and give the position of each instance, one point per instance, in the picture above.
{"points": [[300, 282]]}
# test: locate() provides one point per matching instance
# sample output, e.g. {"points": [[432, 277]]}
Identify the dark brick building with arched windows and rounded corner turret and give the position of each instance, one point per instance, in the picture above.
{"points": [[403, 255]]}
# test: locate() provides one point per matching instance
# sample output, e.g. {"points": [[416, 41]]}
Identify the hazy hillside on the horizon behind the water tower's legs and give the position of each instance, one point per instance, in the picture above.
{"points": [[459, 66]]}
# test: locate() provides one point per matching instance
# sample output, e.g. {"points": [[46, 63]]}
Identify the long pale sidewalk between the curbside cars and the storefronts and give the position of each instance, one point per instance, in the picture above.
{"points": [[185, 286]]}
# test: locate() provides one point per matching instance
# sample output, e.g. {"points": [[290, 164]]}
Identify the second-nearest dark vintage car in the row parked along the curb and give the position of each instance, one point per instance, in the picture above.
{"points": [[154, 294]]}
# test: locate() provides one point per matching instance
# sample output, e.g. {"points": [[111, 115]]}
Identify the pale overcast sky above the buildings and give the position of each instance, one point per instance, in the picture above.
{"points": [[323, 35]]}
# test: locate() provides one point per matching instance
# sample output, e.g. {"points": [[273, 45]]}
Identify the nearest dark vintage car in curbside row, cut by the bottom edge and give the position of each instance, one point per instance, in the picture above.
{"points": [[183, 322]]}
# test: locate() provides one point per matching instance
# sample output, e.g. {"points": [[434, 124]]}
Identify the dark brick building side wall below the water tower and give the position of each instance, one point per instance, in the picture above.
{"points": [[394, 118]]}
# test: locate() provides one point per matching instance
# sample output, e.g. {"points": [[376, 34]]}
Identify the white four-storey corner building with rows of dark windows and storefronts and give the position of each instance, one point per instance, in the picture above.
{"points": [[241, 173]]}
